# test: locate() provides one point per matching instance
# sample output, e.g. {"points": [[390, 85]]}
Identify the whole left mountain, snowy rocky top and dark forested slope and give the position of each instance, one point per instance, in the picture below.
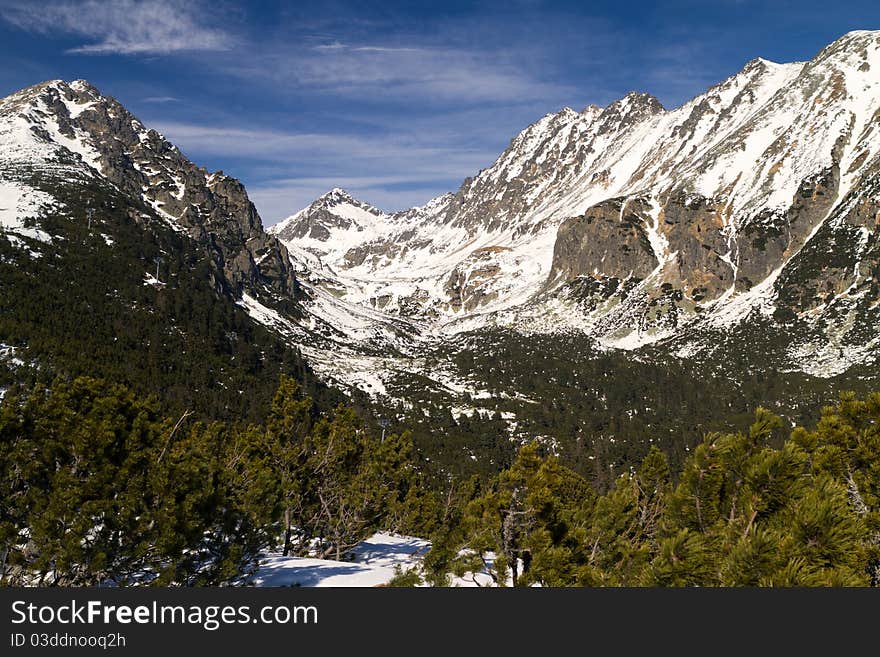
{"points": [[120, 258]]}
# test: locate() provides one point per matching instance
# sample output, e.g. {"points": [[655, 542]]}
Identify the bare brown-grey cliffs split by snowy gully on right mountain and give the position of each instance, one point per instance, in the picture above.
{"points": [[610, 240]]}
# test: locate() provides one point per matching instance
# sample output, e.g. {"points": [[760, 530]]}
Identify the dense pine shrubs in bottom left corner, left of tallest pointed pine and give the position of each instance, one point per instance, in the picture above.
{"points": [[99, 486]]}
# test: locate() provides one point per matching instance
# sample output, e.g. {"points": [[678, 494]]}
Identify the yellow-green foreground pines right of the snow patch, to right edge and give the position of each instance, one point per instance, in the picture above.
{"points": [[743, 513]]}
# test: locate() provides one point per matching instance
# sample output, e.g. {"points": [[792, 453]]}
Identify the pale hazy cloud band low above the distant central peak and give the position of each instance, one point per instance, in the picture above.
{"points": [[409, 169]]}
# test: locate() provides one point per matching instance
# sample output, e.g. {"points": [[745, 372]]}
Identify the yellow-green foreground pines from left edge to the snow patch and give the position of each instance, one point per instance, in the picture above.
{"points": [[98, 485]]}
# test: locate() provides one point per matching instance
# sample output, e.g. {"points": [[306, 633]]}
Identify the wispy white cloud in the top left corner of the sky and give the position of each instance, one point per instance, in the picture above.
{"points": [[121, 26]]}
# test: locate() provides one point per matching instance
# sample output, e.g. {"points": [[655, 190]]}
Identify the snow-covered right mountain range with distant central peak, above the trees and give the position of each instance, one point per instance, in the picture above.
{"points": [[636, 224]]}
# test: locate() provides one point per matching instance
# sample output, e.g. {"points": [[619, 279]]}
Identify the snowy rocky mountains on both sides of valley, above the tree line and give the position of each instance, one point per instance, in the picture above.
{"points": [[742, 224]]}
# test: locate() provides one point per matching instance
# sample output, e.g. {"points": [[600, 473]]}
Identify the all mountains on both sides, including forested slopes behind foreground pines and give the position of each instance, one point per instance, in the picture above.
{"points": [[619, 277]]}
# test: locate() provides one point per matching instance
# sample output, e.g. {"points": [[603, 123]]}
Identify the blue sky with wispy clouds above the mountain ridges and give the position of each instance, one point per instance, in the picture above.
{"points": [[395, 101]]}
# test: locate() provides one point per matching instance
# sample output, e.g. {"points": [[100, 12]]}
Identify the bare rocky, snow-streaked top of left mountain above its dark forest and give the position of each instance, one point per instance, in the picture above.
{"points": [[57, 132]]}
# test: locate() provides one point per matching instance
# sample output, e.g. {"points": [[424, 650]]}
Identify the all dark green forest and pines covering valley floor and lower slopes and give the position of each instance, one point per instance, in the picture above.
{"points": [[659, 474]]}
